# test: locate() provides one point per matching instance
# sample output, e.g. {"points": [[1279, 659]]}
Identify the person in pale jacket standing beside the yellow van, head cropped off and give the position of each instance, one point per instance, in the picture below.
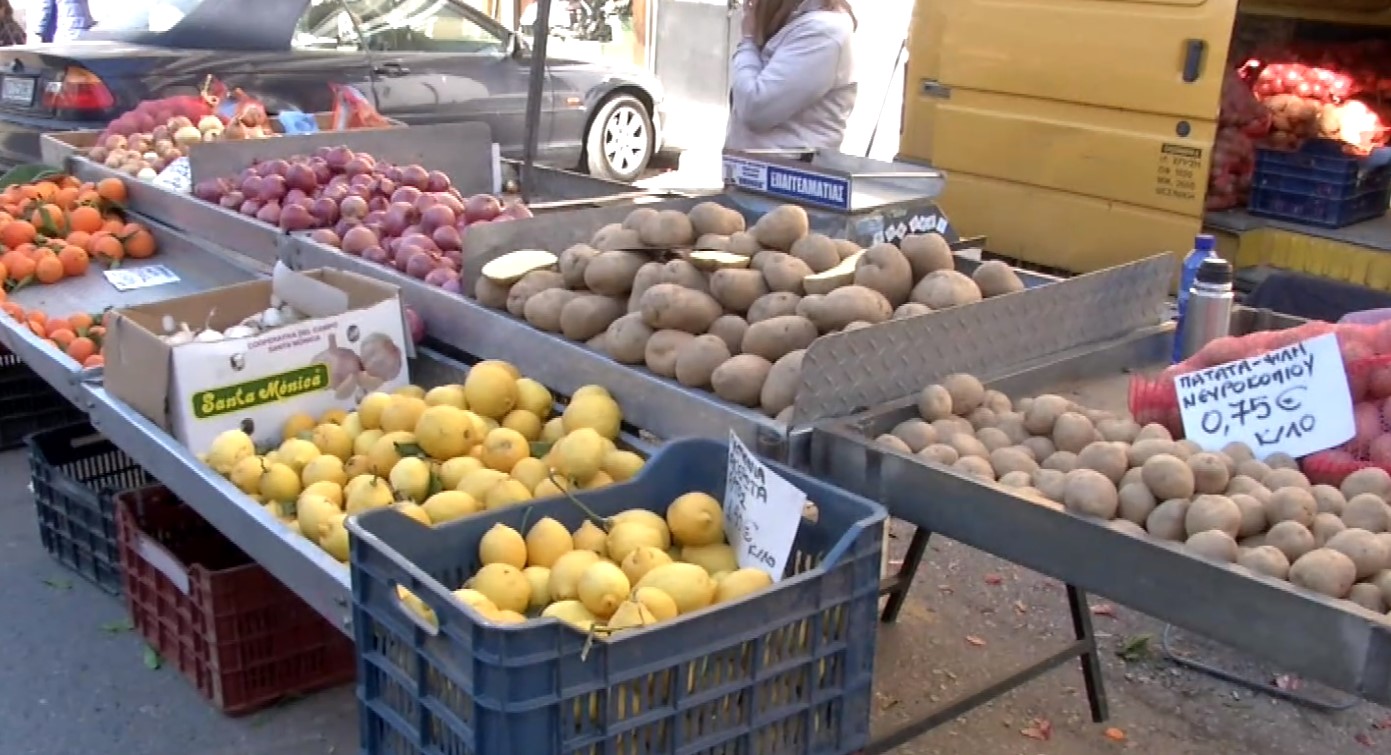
{"points": [[792, 76]]}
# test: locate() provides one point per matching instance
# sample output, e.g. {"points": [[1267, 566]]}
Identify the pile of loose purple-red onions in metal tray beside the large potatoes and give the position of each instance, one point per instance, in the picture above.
{"points": [[403, 216]]}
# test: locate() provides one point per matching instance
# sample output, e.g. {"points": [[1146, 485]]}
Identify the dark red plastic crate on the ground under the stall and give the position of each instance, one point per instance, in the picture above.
{"points": [[230, 626]]}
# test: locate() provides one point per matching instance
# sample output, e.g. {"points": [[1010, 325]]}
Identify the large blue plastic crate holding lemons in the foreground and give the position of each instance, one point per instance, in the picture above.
{"points": [[787, 671]]}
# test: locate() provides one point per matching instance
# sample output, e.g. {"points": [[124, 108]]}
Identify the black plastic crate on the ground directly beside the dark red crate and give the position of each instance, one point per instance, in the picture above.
{"points": [[76, 475]]}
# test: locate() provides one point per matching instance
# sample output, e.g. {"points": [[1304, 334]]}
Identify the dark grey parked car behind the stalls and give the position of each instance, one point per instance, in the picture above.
{"points": [[422, 62]]}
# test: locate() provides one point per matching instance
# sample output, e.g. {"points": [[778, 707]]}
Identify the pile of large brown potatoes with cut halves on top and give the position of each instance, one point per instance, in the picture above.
{"points": [[702, 300]]}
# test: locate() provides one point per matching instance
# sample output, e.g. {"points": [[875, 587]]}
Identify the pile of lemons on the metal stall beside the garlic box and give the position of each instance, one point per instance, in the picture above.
{"points": [[435, 455]]}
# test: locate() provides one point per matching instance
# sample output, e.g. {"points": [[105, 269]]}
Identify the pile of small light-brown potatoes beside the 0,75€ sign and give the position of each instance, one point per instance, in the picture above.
{"points": [[1229, 507]]}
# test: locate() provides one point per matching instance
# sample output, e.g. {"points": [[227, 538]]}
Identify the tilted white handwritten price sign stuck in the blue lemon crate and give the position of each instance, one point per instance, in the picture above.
{"points": [[762, 512]]}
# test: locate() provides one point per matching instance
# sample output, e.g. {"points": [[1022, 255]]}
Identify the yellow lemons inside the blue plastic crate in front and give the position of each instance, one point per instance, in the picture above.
{"points": [[631, 571]]}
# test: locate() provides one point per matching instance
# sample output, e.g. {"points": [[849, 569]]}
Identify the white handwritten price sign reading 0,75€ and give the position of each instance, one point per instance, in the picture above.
{"points": [[1290, 401]]}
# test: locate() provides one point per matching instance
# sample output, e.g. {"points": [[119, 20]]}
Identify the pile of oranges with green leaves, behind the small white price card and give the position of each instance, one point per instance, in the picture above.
{"points": [[54, 229]]}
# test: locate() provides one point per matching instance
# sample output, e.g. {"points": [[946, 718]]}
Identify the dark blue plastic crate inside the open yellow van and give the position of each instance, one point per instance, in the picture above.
{"points": [[1319, 186]]}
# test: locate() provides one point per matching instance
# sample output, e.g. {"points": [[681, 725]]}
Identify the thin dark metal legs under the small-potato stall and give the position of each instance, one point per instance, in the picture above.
{"points": [[1083, 649]]}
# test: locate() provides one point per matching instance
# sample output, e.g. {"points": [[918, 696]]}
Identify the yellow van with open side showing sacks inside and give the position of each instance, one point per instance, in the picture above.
{"points": [[1079, 134]]}
